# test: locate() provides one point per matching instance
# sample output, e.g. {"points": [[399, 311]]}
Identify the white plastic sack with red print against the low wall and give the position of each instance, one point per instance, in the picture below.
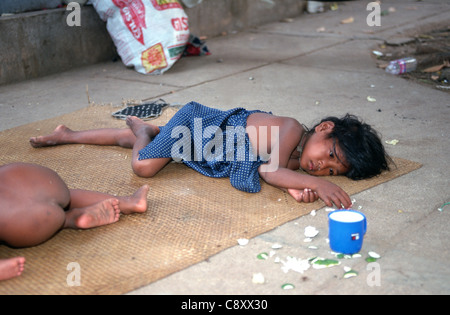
{"points": [[149, 35]]}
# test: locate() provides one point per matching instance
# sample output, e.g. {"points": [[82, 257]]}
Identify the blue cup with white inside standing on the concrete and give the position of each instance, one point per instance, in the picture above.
{"points": [[346, 231]]}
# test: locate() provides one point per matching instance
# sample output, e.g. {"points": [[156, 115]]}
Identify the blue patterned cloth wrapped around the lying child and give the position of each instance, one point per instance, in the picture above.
{"points": [[210, 141]]}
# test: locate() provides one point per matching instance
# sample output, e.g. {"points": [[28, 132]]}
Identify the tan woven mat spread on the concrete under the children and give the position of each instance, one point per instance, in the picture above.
{"points": [[190, 218]]}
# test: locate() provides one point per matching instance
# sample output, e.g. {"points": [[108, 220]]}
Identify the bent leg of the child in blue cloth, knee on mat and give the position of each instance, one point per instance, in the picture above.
{"points": [[144, 134]]}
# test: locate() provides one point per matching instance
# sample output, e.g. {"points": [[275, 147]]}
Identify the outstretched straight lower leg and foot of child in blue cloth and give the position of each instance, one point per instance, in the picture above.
{"points": [[62, 135]]}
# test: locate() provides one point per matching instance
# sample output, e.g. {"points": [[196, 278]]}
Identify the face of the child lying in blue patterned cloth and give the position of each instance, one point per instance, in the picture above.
{"points": [[320, 156]]}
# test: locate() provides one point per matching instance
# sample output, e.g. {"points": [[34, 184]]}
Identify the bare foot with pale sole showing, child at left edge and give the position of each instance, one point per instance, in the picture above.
{"points": [[103, 213]]}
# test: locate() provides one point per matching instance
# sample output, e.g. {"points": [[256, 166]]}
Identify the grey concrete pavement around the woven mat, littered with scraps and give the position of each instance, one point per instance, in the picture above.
{"points": [[291, 69]]}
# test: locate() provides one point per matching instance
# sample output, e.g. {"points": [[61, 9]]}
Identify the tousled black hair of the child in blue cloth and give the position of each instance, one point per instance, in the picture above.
{"points": [[361, 146]]}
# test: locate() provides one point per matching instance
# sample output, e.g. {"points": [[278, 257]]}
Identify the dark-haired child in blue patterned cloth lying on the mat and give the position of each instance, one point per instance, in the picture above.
{"points": [[247, 146]]}
